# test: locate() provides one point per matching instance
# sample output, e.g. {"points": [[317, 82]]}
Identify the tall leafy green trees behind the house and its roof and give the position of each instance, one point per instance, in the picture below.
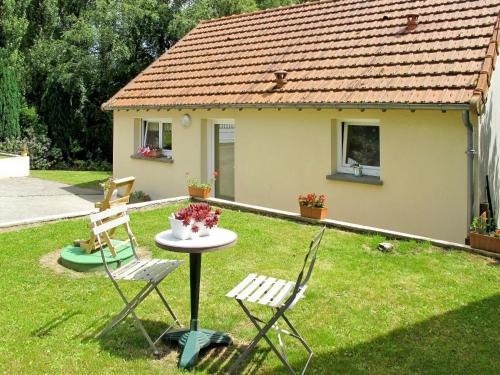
{"points": [[70, 56]]}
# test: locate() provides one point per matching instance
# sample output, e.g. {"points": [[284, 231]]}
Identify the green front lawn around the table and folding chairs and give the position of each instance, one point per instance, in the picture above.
{"points": [[417, 310]]}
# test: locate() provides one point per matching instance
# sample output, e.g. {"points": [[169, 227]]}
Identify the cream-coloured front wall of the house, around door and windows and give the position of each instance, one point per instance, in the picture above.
{"points": [[280, 154]]}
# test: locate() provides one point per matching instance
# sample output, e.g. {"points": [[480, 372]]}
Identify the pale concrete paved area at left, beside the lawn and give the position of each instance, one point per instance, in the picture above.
{"points": [[29, 198]]}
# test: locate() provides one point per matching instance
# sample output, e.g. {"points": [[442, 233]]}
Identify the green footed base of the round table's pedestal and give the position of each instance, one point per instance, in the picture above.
{"points": [[193, 341]]}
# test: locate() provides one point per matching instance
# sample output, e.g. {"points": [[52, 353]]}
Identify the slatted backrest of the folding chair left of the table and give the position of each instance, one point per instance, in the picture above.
{"points": [[106, 221]]}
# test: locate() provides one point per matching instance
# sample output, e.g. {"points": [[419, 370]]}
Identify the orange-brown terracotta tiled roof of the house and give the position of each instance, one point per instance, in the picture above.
{"points": [[335, 52]]}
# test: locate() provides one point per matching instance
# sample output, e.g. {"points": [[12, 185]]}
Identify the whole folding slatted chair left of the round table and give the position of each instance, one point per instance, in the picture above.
{"points": [[151, 271]]}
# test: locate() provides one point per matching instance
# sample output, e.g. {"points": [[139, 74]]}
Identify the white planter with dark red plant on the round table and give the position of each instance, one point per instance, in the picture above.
{"points": [[194, 221]]}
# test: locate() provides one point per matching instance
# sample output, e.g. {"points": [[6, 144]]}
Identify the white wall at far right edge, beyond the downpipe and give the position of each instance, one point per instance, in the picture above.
{"points": [[489, 144]]}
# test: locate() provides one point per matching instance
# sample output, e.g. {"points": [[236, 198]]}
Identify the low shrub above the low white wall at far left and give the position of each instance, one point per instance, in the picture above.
{"points": [[42, 155]]}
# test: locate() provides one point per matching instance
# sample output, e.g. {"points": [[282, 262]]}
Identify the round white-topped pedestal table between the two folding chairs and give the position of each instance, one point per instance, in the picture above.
{"points": [[193, 339]]}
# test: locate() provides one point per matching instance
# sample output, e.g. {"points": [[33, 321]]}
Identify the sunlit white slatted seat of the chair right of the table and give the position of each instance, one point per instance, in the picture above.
{"points": [[265, 290]]}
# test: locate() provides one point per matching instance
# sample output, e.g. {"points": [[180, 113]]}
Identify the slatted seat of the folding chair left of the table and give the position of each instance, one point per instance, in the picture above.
{"points": [[146, 270]]}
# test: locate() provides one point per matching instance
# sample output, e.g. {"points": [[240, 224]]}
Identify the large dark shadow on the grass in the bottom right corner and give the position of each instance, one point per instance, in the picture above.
{"points": [[462, 341]]}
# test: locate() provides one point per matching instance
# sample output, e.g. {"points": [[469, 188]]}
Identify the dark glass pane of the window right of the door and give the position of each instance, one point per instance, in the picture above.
{"points": [[363, 145]]}
